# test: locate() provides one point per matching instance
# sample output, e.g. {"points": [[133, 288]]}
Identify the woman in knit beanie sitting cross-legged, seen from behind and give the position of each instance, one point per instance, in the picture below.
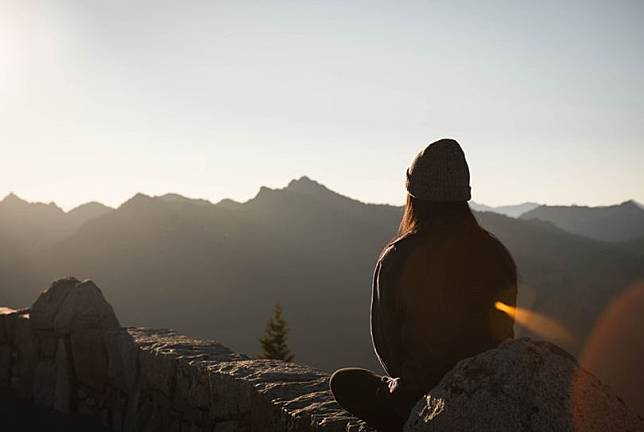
{"points": [[435, 287]]}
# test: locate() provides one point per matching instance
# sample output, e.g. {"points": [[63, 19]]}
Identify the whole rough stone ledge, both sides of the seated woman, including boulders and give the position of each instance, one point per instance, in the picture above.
{"points": [[69, 353]]}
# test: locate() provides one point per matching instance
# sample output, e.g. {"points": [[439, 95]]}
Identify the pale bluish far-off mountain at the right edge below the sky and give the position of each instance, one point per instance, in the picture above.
{"points": [[614, 223]]}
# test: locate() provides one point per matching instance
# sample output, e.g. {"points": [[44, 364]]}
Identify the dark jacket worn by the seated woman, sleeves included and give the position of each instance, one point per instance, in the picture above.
{"points": [[433, 303]]}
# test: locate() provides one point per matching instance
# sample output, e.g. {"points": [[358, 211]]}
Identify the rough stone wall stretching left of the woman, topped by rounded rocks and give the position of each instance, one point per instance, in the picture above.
{"points": [[68, 352]]}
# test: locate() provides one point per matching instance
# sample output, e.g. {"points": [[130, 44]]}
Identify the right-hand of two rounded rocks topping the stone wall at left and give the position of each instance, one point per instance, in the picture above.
{"points": [[85, 308]]}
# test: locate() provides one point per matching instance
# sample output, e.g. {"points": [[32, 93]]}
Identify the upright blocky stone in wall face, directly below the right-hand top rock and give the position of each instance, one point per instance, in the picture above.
{"points": [[89, 358]]}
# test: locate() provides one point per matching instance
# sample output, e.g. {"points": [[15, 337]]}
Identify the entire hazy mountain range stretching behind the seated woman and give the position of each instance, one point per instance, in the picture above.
{"points": [[215, 270]]}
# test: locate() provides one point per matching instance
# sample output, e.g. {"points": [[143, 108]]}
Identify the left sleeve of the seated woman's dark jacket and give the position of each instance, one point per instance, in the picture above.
{"points": [[386, 317]]}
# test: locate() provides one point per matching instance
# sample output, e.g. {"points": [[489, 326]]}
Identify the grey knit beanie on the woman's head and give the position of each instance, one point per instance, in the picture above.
{"points": [[440, 173]]}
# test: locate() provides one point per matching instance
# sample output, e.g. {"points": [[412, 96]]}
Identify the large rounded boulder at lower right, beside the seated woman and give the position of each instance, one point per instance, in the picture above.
{"points": [[521, 385]]}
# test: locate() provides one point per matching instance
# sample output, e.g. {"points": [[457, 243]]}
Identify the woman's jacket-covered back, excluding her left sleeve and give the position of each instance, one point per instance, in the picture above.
{"points": [[448, 288]]}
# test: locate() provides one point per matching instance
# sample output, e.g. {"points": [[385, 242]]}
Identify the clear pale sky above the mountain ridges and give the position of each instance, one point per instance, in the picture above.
{"points": [[212, 99]]}
